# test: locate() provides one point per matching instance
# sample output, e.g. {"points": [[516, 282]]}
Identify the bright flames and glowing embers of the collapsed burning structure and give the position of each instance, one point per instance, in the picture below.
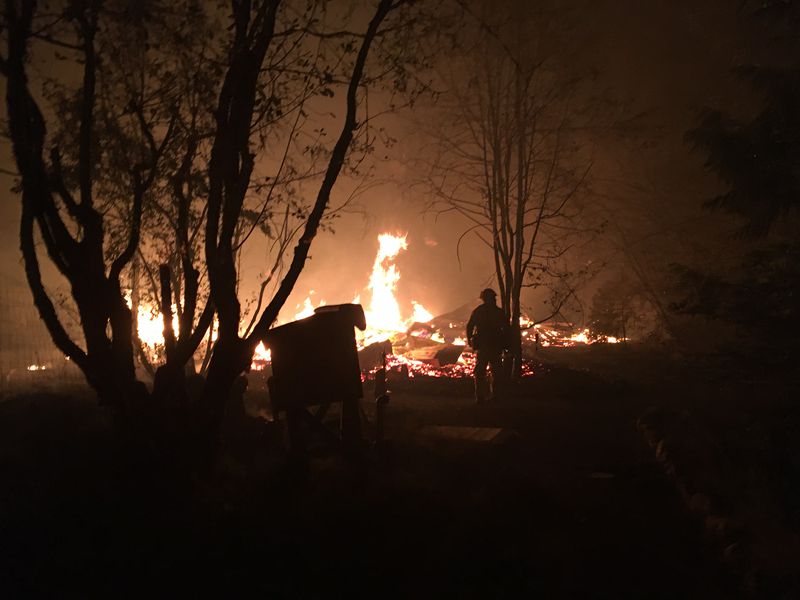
{"points": [[415, 343]]}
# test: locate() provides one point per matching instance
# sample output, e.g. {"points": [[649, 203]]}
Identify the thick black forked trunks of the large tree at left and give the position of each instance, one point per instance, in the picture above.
{"points": [[73, 233]]}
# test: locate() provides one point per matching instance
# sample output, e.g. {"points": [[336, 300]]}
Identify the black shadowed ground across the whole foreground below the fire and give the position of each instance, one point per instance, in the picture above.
{"points": [[567, 501]]}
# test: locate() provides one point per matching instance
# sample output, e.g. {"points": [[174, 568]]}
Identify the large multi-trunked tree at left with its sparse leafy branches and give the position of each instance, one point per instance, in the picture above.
{"points": [[250, 59]]}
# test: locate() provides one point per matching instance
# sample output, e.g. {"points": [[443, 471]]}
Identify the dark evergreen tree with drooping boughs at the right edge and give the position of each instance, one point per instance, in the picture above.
{"points": [[755, 152]]}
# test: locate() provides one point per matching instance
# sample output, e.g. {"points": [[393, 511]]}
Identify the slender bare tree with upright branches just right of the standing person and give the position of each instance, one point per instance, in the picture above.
{"points": [[506, 157]]}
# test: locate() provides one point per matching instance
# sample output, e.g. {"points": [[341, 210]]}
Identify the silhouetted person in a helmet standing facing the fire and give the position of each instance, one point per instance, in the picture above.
{"points": [[487, 333]]}
